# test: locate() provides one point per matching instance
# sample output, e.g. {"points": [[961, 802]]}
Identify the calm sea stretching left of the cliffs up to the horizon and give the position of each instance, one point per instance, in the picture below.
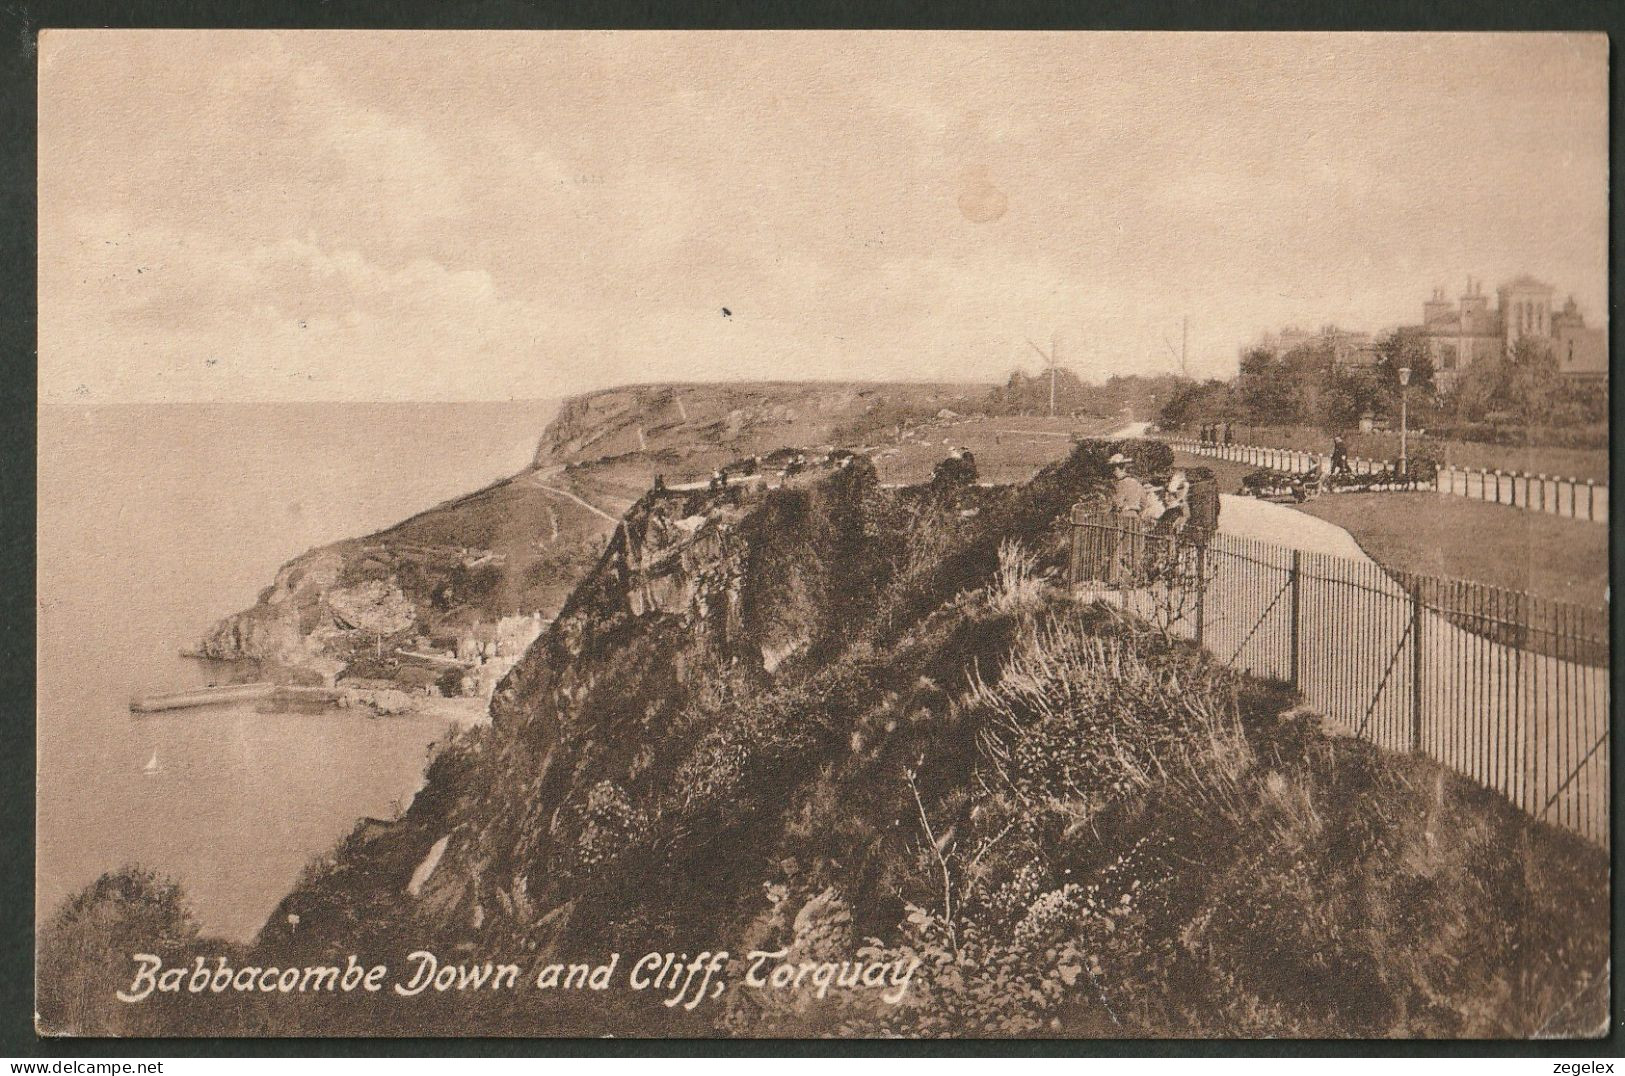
{"points": [[154, 523]]}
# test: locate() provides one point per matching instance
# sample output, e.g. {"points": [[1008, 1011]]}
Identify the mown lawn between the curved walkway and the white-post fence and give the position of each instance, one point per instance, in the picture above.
{"points": [[1493, 544]]}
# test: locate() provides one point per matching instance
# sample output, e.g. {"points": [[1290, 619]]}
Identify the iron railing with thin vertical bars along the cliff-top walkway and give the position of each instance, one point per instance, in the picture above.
{"points": [[1501, 687]]}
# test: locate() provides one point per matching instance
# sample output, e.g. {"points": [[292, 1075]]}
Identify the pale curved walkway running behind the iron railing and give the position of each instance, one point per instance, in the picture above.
{"points": [[1363, 653]]}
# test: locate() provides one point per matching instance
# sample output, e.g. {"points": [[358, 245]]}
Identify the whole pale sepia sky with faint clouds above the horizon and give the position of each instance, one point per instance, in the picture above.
{"points": [[355, 215]]}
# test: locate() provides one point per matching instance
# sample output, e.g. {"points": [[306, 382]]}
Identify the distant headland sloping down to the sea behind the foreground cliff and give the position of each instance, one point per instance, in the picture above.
{"points": [[521, 545]]}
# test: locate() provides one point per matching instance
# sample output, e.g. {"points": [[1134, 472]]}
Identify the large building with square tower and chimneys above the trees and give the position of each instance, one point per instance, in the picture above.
{"points": [[1468, 331]]}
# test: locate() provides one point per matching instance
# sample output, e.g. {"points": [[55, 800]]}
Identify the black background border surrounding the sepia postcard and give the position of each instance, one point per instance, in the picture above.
{"points": [[20, 25]]}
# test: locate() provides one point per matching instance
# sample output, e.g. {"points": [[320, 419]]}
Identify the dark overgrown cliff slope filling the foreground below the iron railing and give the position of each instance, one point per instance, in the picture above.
{"points": [[841, 722]]}
